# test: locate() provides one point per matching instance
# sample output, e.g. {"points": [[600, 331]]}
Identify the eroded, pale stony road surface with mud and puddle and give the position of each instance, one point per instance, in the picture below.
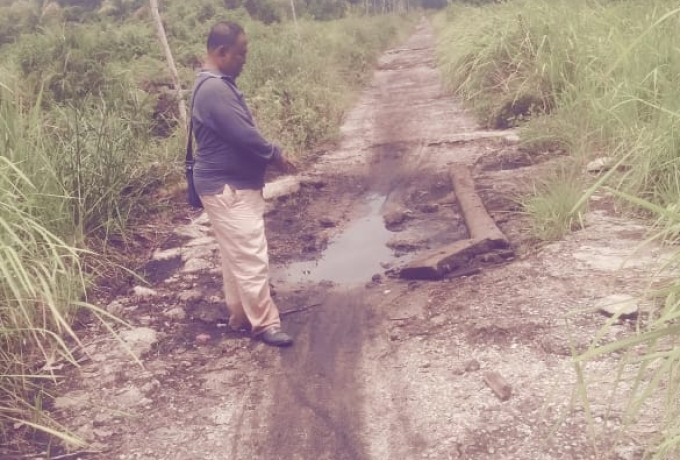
{"points": [[382, 368]]}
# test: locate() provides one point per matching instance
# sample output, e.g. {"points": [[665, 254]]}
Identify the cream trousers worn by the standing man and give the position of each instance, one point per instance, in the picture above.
{"points": [[237, 218]]}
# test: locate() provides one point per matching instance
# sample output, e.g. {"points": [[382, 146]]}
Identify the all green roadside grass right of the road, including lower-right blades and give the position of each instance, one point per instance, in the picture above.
{"points": [[587, 79]]}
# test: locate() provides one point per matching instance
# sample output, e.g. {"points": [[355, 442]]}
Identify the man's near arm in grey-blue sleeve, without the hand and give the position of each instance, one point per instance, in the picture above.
{"points": [[222, 112]]}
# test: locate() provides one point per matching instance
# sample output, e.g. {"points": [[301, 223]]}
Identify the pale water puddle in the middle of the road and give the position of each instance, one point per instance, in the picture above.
{"points": [[352, 257]]}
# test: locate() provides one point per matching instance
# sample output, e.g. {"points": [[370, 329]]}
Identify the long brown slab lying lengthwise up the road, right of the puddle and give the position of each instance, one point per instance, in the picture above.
{"points": [[480, 224]]}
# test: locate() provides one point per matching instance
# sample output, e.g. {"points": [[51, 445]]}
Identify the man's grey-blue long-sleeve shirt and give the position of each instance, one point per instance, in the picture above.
{"points": [[231, 150]]}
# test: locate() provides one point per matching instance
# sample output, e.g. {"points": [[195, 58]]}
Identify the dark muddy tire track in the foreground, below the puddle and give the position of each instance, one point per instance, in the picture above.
{"points": [[318, 398]]}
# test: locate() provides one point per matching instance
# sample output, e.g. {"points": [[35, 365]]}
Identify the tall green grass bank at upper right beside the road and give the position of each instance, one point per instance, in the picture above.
{"points": [[607, 74]]}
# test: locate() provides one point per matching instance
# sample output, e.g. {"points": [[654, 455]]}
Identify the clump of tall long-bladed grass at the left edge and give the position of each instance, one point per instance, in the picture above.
{"points": [[40, 275]]}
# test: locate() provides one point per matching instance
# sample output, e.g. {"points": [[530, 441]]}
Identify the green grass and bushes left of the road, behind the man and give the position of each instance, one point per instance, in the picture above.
{"points": [[90, 145]]}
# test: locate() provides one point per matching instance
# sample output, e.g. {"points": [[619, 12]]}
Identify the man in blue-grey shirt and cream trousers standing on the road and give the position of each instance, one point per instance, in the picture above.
{"points": [[229, 176]]}
